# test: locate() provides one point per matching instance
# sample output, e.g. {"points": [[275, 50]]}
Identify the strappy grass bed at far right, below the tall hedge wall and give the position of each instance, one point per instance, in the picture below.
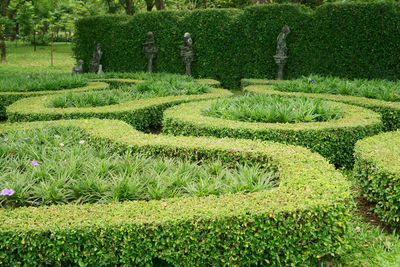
{"points": [[376, 89]]}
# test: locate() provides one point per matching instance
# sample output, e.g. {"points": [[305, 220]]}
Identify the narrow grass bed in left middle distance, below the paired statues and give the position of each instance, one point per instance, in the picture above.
{"points": [[150, 89]]}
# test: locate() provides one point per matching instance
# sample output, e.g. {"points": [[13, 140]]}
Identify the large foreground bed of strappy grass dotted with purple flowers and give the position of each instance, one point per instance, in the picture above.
{"points": [[59, 165]]}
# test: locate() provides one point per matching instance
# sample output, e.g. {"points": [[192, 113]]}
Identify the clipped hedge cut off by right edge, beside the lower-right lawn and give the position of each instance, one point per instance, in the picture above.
{"points": [[377, 168]]}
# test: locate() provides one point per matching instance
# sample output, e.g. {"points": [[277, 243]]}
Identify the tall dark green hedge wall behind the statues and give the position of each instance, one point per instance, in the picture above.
{"points": [[346, 40]]}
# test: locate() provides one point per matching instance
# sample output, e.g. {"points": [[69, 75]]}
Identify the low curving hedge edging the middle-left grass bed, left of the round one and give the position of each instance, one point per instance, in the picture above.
{"points": [[143, 114]]}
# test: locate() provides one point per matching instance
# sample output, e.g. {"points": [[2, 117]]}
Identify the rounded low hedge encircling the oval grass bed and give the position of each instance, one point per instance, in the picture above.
{"points": [[333, 139]]}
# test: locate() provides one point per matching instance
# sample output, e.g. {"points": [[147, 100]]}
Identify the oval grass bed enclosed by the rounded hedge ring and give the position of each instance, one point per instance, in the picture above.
{"points": [[273, 109]]}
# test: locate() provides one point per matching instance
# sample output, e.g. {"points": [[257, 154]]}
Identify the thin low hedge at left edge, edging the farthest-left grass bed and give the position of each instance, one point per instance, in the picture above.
{"points": [[7, 98]]}
